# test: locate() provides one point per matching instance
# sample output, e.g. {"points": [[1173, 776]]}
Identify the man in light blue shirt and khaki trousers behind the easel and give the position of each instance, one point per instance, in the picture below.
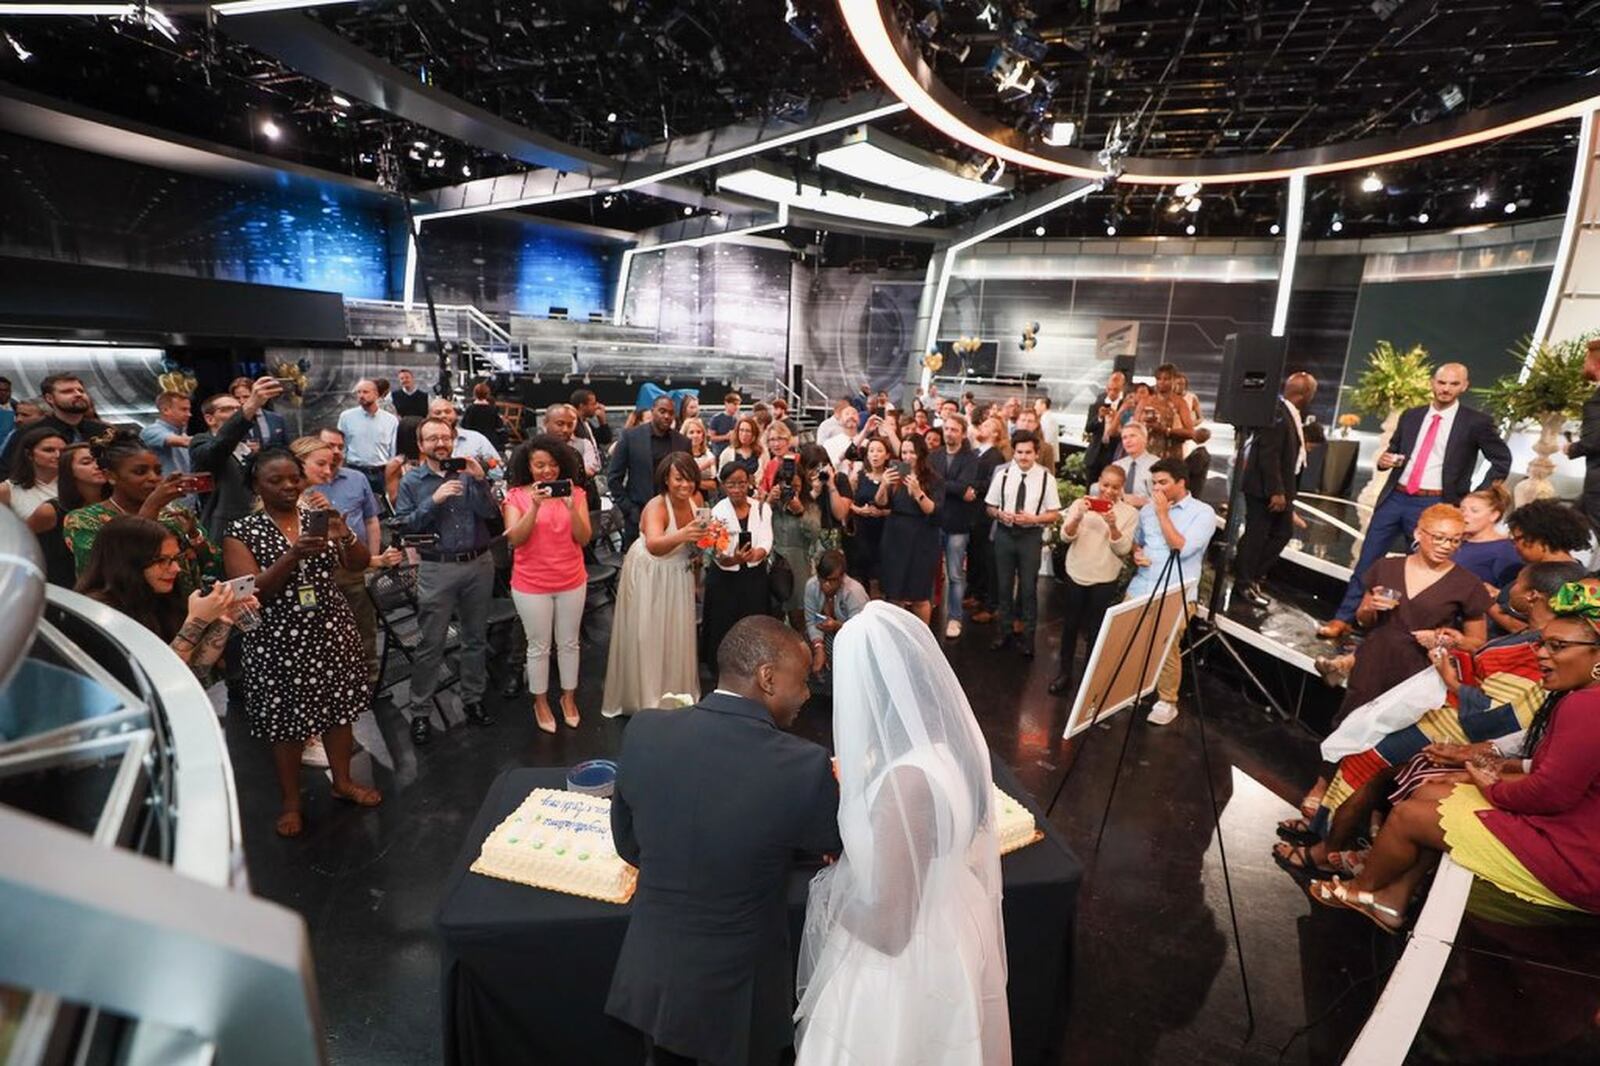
{"points": [[1172, 523]]}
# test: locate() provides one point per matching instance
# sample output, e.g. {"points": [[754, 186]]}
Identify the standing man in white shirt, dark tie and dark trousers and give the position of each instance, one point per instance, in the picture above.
{"points": [[1023, 500]]}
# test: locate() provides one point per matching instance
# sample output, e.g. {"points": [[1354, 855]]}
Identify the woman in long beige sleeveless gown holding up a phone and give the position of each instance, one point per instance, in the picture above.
{"points": [[654, 622]]}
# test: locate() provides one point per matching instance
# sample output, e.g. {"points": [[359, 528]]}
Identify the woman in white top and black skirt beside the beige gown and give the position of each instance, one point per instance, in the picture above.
{"points": [[737, 583]]}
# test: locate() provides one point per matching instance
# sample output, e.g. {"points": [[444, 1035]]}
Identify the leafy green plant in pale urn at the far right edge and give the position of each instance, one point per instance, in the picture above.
{"points": [[1550, 391]]}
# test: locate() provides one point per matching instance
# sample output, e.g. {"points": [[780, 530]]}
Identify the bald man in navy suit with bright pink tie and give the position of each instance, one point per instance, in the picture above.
{"points": [[1430, 460]]}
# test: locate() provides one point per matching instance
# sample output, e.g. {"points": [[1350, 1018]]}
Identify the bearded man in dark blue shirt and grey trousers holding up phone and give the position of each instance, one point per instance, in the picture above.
{"points": [[457, 575]]}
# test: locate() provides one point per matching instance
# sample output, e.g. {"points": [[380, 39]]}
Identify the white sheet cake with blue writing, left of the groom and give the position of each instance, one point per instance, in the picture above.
{"points": [[559, 841]]}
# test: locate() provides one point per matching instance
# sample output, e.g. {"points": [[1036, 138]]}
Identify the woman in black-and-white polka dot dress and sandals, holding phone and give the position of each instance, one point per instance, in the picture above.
{"points": [[305, 665]]}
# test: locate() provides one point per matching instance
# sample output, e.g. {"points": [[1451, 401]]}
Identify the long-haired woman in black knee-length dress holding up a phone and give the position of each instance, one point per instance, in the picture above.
{"points": [[911, 492]]}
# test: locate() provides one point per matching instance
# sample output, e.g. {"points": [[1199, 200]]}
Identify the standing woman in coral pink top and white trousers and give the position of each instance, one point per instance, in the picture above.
{"points": [[548, 526]]}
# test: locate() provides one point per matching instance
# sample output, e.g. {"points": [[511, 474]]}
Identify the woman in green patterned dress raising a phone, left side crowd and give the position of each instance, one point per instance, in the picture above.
{"points": [[138, 487]]}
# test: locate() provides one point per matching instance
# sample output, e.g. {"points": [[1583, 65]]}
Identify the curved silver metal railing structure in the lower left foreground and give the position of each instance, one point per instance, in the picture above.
{"points": [[126, 918]]}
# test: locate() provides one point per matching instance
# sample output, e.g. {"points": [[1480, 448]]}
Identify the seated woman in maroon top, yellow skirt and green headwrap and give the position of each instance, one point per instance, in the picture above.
{"points": [[1530, 827]]}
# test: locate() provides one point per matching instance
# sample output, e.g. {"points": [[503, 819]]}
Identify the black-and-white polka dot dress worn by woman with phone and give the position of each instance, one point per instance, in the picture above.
{"points": [[305, 670]]}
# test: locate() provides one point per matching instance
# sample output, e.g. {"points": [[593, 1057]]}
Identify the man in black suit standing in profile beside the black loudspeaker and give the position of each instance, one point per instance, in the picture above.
{"points": [[1273, 467]]}
